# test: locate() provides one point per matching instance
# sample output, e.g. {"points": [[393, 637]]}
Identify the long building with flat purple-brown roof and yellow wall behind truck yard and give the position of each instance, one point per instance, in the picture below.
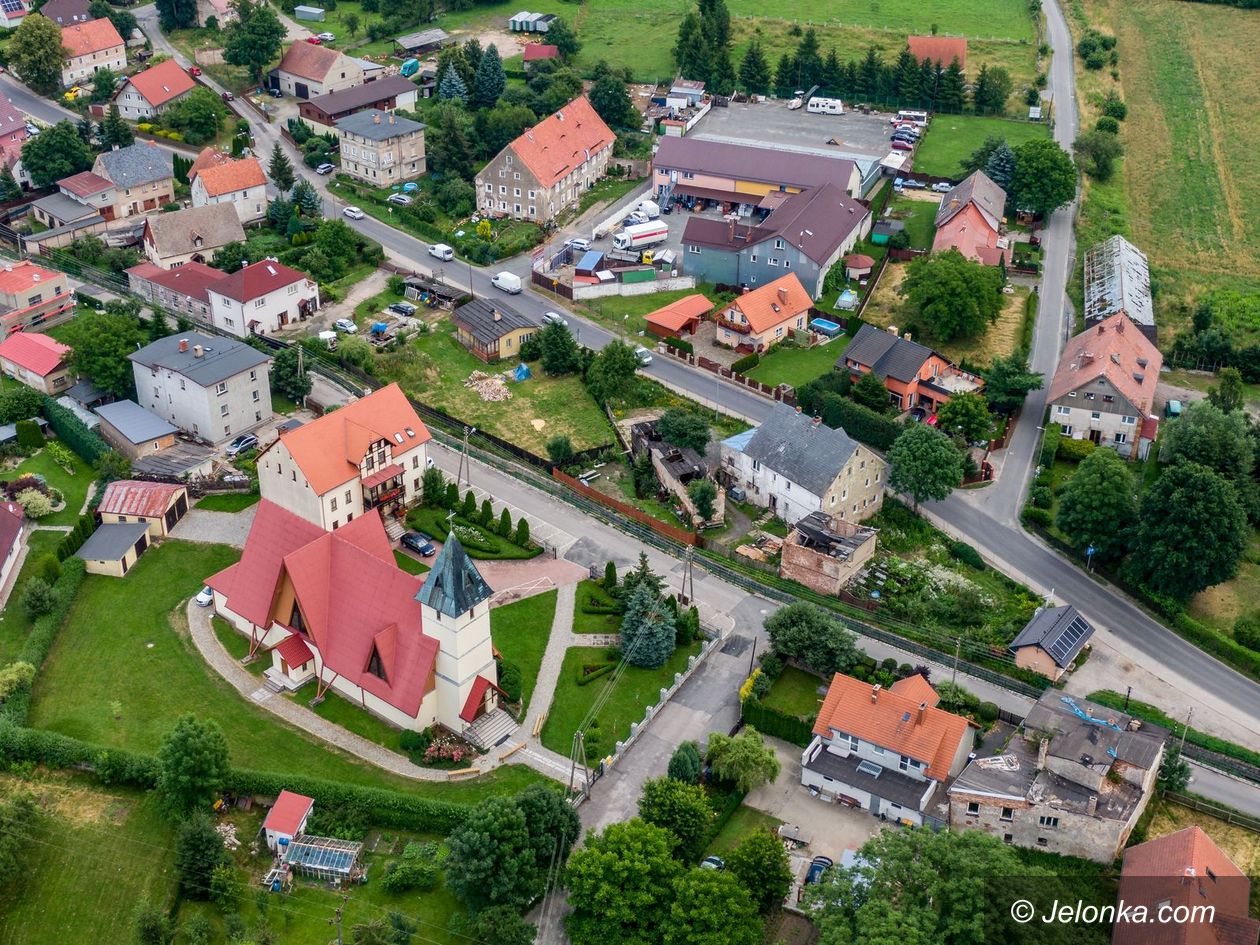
{"points": [[742, 177]]}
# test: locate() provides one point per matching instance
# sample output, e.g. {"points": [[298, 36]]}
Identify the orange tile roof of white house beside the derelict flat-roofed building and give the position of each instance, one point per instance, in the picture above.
{"points": [[891, 720]]}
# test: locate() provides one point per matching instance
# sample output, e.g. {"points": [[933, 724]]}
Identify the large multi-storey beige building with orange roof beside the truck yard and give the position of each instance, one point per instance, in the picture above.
{"points": [[549, 168]]}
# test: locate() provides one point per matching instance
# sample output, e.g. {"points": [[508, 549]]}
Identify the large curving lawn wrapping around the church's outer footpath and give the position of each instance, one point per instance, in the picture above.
{"points": [[127, 642]]}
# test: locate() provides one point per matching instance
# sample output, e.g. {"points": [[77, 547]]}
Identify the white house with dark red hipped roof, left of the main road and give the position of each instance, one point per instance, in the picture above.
{"points": [[261, 299]]}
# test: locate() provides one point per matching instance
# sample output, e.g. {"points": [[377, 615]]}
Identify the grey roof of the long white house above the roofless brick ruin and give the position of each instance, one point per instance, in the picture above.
{"points": [[801, 450]]}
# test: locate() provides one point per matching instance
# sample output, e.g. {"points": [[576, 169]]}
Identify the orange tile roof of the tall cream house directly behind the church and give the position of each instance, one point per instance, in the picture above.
{"points": [[331, 449]]}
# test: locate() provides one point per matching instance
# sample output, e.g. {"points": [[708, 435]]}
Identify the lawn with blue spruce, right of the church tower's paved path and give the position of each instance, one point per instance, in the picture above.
{"points": [[634, 691]]}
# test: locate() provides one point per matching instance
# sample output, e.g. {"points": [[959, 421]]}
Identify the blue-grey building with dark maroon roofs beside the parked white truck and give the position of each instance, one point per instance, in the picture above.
{"points": [[806, 234]]}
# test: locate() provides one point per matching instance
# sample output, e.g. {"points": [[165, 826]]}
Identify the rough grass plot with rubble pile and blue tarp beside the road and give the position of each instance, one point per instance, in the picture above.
{"points": [[434, 367]]}
